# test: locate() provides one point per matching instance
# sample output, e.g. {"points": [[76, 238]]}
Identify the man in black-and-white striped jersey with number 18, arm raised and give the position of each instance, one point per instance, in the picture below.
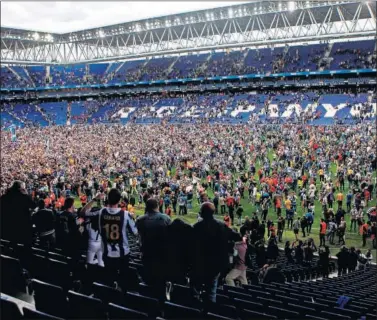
{"points": [[113, 222]]}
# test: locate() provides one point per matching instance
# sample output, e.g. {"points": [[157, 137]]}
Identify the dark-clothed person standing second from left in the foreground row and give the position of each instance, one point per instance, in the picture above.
{"points": [[44, 220]]}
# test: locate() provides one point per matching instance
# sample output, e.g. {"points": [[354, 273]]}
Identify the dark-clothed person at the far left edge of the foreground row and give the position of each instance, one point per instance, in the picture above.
{"points": [[16, 224]]}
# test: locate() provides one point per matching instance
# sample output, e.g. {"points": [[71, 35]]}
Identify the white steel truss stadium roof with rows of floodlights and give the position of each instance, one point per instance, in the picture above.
{"points": [[250, 24]]}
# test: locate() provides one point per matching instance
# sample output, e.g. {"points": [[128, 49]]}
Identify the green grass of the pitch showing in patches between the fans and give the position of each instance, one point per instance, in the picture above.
{"points": [[352, 239]]}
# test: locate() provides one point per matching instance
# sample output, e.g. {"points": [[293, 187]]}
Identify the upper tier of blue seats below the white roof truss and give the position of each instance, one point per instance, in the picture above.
{"points": [[239, 62]]}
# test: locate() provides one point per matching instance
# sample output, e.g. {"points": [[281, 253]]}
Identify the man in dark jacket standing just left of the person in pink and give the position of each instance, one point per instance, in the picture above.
{"points": [[210, 242]]}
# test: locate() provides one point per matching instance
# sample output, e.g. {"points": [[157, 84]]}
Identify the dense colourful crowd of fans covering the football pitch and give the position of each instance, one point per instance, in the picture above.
{"points": [[177, 166]]}
